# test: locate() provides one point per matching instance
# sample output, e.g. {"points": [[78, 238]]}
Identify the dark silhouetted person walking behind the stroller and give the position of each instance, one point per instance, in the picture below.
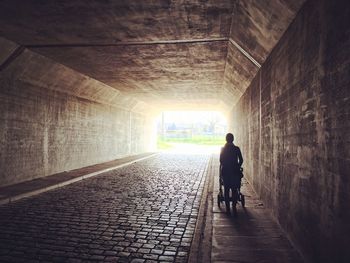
{"points": [[230, 164]]}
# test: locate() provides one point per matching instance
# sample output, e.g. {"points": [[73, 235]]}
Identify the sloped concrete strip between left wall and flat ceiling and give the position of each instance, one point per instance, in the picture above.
{"points": [[41, 72]]}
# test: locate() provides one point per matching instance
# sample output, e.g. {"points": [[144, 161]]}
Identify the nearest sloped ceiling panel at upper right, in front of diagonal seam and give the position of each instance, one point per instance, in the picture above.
{"points": [[258, 25]]}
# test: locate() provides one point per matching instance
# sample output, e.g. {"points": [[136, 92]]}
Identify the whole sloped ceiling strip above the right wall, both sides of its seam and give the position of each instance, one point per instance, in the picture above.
{"points": [[256, 27]]}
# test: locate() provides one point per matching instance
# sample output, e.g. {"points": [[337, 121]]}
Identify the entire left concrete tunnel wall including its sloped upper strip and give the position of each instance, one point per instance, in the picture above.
{"points": [[54, 119]]}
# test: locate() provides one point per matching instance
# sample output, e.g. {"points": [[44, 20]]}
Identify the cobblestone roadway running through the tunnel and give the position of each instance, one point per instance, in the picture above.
{"points": [[145, 212]]}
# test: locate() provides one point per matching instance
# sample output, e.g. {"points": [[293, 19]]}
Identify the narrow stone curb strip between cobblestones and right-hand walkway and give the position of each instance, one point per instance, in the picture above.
{"points": [[202, 238]]}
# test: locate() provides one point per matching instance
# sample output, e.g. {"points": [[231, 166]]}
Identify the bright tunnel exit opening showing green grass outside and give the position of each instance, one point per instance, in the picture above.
{"points": [[191, 132]]}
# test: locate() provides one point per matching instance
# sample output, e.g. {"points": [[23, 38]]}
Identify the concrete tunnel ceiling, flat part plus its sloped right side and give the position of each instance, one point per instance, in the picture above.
{"points": [[161, 52]]}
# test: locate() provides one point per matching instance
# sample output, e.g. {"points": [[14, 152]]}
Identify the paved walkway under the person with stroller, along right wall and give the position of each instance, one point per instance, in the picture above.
{"points": [[252, 236]]}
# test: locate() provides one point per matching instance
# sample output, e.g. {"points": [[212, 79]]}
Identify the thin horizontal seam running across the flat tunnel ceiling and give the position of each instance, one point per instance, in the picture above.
{"points": [[131, 43]]}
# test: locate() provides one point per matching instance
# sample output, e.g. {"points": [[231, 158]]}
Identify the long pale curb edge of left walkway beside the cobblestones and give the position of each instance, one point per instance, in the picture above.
{"points": [[14, 198]]}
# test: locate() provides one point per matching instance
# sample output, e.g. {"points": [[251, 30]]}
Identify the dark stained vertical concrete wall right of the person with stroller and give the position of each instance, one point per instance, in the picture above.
{"points": [[293, 127]]}
